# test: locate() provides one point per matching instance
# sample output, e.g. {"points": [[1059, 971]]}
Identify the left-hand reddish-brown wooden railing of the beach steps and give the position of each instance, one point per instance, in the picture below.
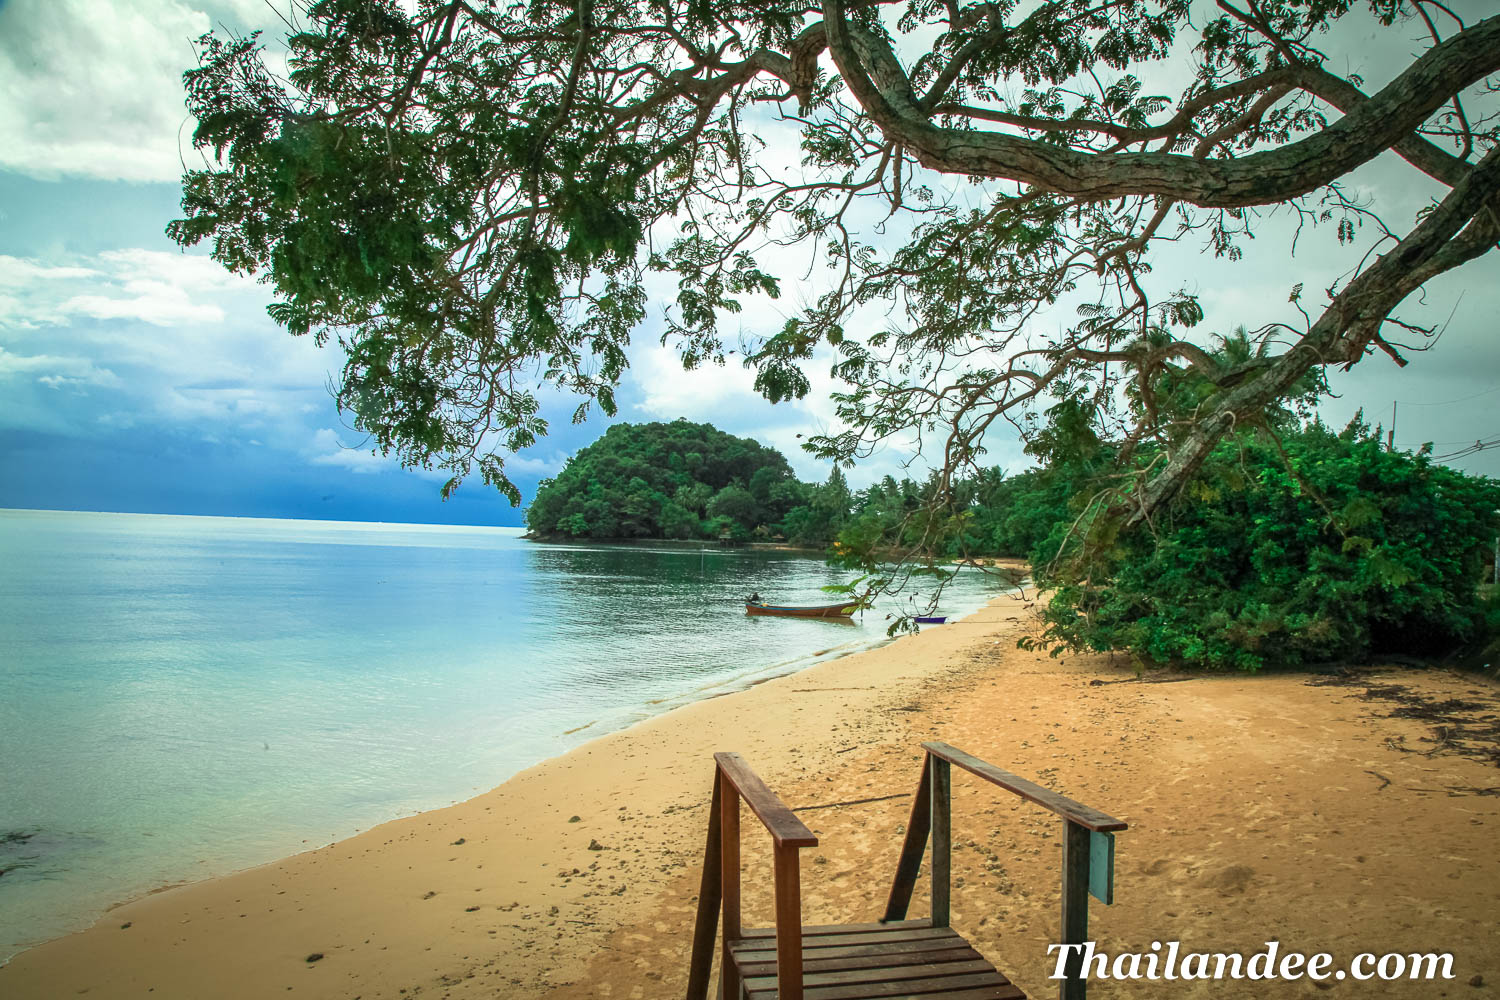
{"points": [[734, 780]]}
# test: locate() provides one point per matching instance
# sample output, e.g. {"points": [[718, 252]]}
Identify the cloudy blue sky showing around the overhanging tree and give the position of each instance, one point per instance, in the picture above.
{"points": [[137, 377]]}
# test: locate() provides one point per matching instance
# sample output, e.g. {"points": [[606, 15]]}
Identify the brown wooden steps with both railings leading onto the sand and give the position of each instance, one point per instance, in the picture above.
{"points": [[895, 957]]}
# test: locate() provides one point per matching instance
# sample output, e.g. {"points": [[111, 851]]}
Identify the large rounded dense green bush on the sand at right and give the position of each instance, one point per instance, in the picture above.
{"points": [[1312, 548]]}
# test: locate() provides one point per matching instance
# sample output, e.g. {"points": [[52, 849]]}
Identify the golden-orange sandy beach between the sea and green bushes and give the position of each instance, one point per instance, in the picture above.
{"points": [[1340, 813]]}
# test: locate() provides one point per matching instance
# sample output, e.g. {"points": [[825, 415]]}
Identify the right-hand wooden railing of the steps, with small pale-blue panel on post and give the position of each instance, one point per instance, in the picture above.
{"points": [[1087, 831]]}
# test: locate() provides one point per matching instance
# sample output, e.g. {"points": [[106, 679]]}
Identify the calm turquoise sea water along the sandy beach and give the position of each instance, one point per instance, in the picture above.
{"points": [[190, 696]]}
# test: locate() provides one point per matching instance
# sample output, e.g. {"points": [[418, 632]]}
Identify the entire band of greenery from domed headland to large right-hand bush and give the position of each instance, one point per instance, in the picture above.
{"points": [[1304, 546]]}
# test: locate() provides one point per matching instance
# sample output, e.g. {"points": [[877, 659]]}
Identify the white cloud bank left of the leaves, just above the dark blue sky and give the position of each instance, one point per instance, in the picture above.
{"points": [[154, 338]]}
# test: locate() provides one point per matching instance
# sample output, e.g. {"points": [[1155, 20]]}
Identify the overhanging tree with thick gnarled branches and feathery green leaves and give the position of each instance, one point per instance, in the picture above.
{"points": [[473, 197]]}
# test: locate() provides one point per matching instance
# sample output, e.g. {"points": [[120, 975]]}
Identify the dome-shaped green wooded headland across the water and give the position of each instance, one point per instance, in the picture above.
{"points": [[685, 481]]}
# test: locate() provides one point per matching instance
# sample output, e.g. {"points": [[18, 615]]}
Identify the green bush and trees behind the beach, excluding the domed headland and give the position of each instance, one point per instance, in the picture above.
{"points": [[1291, 546]]}
